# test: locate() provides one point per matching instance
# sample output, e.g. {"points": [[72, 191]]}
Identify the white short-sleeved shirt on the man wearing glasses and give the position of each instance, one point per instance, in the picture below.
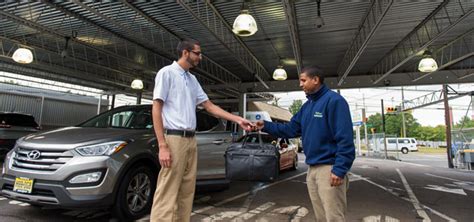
{"points": [[181, 93]]}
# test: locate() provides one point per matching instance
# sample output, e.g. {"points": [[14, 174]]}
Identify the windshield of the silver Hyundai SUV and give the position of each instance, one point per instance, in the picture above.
{"points": [[129, 118]]}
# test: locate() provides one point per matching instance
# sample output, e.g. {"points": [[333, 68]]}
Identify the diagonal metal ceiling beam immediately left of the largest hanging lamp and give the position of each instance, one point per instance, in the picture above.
{"points": [[209, 17]]}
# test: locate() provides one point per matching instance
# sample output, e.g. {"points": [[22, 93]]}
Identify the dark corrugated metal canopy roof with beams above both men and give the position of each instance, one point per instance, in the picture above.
{"points": [[361, 44]]}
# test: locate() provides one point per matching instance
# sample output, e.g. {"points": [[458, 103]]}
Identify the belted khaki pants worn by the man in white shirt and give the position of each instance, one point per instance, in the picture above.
{"points": [[173, 200]]}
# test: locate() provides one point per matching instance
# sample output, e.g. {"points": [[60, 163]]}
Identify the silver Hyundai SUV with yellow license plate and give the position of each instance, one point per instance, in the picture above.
{"points": [[107, 161]]}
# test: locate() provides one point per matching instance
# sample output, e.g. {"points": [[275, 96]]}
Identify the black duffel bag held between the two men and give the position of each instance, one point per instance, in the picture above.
{"points": [[252, 161]]}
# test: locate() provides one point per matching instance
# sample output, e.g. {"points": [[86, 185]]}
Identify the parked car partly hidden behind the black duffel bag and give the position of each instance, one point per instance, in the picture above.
{"points": [[288, 150]]}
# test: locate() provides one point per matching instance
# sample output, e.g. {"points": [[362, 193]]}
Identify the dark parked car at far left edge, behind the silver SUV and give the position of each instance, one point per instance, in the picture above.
{"points": [[13, 126]]}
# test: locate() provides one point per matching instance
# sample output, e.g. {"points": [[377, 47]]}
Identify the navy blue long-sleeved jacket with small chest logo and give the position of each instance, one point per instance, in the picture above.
{"points": [[325, 125]]}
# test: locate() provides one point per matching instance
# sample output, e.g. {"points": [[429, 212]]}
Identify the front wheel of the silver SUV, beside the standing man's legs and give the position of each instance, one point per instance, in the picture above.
{"points": [[135, 194]]}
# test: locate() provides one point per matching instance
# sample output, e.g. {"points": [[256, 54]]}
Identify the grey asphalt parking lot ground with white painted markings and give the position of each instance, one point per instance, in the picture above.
{"points": [[380, 190]]}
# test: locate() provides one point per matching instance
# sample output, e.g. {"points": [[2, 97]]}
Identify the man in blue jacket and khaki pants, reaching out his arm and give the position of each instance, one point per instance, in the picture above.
{"points": [[324, 122]]}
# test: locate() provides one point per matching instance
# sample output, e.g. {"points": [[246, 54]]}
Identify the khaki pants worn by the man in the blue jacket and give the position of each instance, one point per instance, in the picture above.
{"points": [[329, 203]]}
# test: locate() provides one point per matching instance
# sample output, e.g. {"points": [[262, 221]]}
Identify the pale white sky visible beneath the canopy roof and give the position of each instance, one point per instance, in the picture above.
{"points": [[427, 116]]}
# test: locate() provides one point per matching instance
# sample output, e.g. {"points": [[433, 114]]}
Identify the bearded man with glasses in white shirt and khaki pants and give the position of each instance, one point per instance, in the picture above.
{"points": [[175, 97]]}
